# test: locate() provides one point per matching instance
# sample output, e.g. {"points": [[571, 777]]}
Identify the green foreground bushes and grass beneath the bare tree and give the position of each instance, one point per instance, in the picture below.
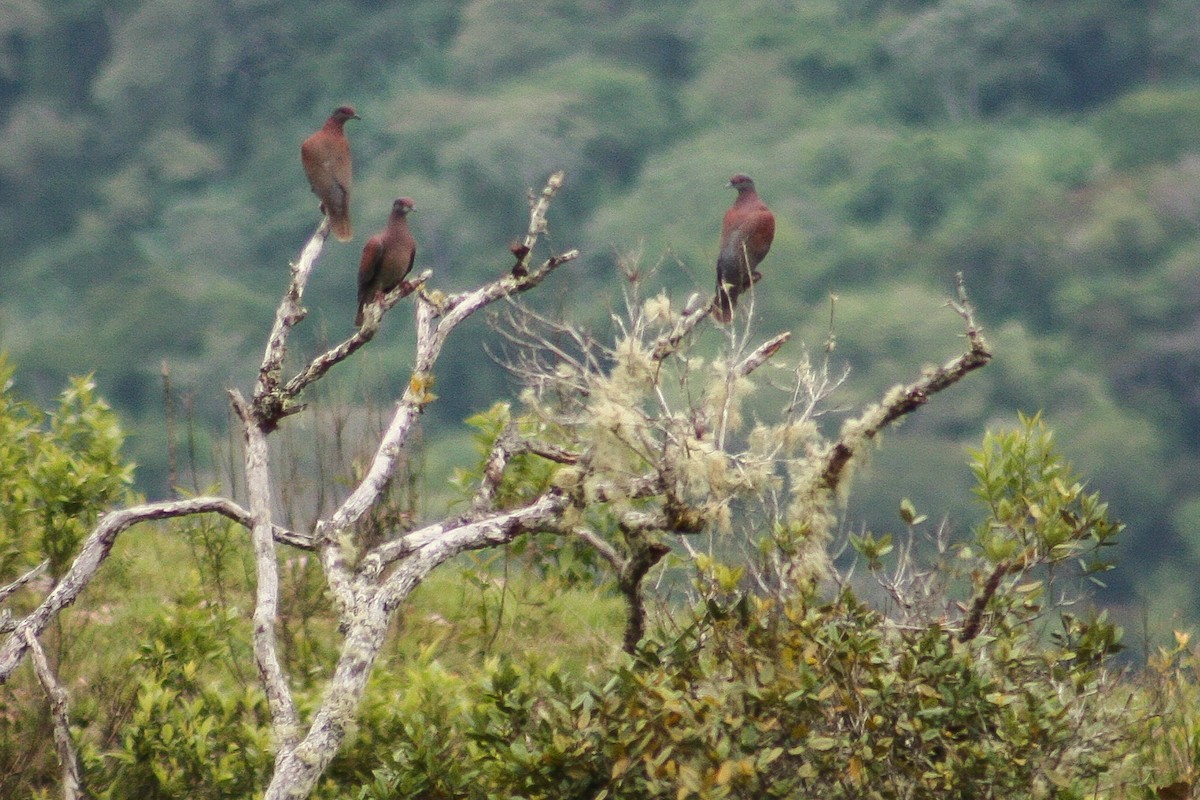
{"points": [[968, 676]]}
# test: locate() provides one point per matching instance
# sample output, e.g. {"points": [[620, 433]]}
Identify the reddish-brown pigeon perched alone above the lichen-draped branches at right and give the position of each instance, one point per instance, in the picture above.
{"points": [[747, 233]]}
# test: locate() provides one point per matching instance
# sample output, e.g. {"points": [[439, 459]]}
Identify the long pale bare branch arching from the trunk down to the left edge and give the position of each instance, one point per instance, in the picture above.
{"points": [[94, 552]]}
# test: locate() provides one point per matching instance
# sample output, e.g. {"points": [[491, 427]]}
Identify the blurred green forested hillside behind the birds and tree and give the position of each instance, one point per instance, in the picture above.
{"points": [[152, 199]]}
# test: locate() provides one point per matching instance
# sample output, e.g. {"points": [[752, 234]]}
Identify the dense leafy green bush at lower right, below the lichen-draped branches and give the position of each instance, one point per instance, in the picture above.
{"points": [[797, 696]]}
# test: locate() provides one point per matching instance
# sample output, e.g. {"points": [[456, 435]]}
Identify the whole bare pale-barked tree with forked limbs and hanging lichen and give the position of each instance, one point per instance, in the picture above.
{"points": [[658, 459]]}
